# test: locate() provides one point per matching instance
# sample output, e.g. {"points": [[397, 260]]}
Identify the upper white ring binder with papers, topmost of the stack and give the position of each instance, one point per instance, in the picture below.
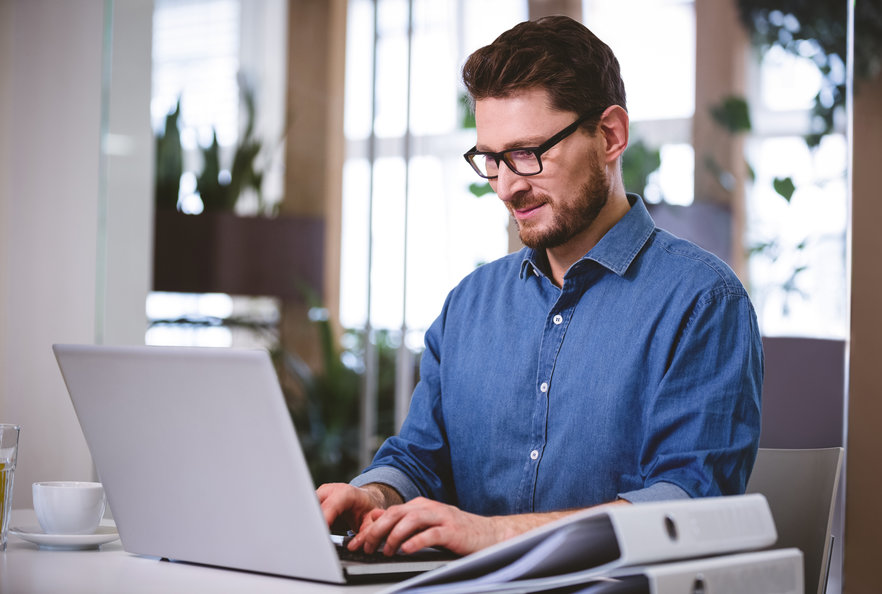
{"points": [[588, 546]]}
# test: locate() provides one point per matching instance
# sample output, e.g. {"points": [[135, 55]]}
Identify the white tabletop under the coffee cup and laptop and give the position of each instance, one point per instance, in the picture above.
{"points": [[25, 567]]}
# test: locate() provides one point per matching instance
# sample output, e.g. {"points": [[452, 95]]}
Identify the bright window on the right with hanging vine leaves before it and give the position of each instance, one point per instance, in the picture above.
{"points": [[797, 262]]}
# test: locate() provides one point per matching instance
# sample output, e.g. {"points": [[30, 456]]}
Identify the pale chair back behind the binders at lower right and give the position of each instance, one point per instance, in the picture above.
{"points": [[801, 486]]}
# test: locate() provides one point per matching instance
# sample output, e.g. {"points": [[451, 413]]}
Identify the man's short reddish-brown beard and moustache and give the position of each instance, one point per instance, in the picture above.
{"points": [[569, 217]]}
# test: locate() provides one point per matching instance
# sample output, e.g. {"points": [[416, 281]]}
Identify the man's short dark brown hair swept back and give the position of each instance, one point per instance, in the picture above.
{"points": [[578, 70]]}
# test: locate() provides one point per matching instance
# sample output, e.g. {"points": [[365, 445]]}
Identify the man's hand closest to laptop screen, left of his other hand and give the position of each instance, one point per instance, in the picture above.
{"points": [[352, 505]]}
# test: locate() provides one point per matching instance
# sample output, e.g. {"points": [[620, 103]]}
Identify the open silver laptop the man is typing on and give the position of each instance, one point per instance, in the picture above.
{"points": [[201, 463]]}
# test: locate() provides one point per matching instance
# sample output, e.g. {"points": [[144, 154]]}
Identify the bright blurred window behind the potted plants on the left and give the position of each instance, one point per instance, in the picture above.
{"points": [[202, 49]]}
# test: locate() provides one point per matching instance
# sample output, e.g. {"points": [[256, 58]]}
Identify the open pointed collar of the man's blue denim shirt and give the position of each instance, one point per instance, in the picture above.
{"points": [[615, 250]]}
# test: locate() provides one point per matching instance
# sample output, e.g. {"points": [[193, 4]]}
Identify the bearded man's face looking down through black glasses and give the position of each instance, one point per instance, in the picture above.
{"points": [[560, 203]]}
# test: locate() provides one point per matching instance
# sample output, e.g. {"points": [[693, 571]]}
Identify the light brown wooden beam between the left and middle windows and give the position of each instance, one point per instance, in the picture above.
{"points": [[315, 148]]}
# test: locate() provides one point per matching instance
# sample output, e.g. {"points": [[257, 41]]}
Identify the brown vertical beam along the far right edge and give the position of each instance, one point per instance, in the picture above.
{"points": [[863, 524]]}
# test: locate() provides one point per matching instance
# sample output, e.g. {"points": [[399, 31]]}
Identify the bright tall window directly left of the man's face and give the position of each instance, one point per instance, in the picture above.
{"points": [[411, 228]]}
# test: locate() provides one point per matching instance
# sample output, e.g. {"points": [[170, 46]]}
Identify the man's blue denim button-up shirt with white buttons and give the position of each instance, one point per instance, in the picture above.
{"points": [[640, 378]]}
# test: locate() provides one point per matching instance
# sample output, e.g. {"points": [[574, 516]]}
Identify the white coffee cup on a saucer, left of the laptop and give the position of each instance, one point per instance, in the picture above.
{"points": [[69, 507]]}
